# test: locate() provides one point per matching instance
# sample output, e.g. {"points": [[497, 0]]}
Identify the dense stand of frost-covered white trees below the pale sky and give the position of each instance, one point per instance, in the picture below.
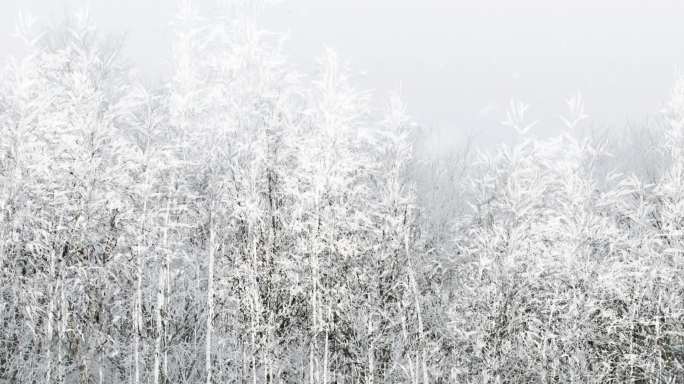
{"points": [[246, 222]]}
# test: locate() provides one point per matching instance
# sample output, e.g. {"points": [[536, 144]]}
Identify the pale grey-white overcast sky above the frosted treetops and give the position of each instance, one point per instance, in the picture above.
{"points": [[459, 61]]}
